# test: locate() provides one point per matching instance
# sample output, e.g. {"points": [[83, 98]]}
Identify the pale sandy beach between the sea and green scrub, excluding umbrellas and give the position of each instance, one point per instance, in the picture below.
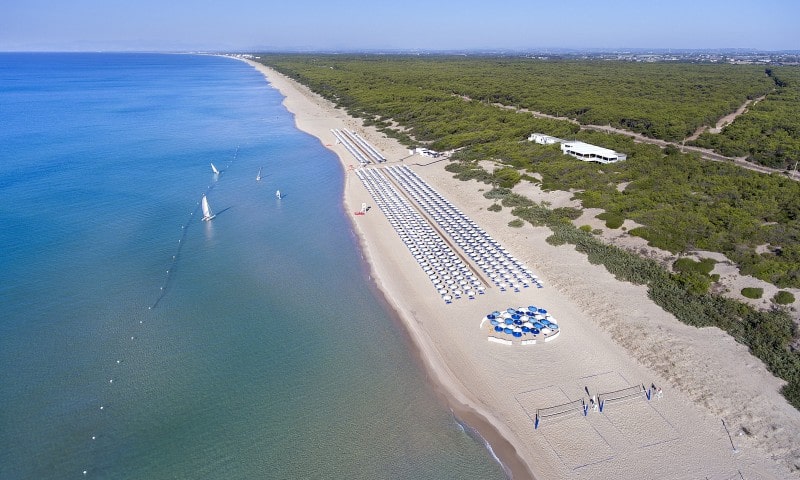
{"points": [[721, 415]]}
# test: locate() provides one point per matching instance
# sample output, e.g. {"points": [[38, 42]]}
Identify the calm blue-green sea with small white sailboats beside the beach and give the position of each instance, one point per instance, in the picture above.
{"points": [[139, 342]]}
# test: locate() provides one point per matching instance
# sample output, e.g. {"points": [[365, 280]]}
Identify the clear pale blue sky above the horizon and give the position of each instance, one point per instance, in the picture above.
{"points": [[348, 25]]}
